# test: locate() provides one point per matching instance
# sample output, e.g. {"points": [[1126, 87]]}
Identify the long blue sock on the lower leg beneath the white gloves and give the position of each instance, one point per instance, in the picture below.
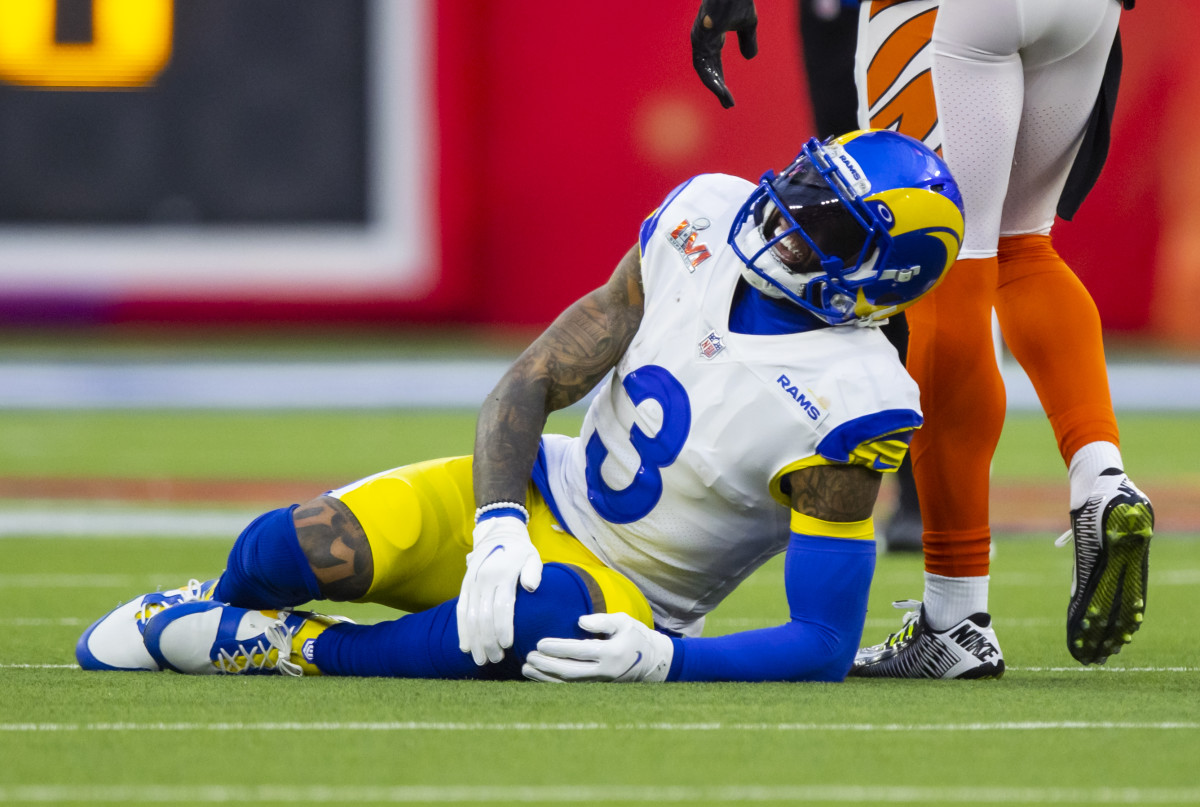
{"points": [[427, 645]]}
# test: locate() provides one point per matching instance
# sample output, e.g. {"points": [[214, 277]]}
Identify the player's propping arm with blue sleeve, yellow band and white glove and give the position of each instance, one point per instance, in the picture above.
{"points": [[827, 576]]}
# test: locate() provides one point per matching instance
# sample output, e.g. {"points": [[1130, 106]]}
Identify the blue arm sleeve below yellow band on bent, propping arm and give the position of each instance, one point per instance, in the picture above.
{"points": [[827, 583]]}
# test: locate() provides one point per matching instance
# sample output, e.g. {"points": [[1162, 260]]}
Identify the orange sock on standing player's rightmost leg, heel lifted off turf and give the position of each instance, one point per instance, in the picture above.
{"points": [[1053, 328]]}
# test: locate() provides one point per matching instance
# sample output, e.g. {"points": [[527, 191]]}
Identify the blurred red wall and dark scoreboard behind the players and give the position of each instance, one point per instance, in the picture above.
{"points": [[469, 163]]}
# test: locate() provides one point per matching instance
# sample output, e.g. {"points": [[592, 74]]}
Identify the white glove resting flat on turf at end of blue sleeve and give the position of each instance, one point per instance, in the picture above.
{"points": [[631, 653]]}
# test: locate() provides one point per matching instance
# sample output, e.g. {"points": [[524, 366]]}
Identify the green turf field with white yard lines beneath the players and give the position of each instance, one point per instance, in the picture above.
{"points": [[1049, 732]]}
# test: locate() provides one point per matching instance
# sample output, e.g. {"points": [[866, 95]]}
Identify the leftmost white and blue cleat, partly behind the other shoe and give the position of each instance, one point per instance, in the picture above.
{"points": [[116, 641]]}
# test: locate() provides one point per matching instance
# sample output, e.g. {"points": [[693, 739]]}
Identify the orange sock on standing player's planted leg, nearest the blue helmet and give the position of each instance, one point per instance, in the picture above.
{"points": [[952, 357]]}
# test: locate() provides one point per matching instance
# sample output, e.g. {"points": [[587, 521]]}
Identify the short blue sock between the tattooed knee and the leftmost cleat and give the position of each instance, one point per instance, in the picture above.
{"points": [[267, 569]]}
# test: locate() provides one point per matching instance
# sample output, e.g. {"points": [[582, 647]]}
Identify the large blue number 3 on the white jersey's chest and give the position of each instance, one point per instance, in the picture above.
{"points": [[635, 501]]}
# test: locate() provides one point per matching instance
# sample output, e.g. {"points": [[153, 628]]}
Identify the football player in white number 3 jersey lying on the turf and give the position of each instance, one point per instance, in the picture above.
{"points": [[748, 407]]}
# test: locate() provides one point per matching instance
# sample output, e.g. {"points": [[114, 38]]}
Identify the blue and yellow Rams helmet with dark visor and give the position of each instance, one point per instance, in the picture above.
{"points": [[856, 230]]}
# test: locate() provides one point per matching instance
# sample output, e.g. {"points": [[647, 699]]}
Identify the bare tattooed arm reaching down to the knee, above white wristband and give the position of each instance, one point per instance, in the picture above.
{"points": [[562, 366]]}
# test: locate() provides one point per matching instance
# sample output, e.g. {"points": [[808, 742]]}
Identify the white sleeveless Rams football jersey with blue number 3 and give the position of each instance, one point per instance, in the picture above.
{"points": [[675, 479]]}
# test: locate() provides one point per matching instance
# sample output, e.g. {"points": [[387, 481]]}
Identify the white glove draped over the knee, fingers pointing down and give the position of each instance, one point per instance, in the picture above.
{"points": [[503, 555]]}
